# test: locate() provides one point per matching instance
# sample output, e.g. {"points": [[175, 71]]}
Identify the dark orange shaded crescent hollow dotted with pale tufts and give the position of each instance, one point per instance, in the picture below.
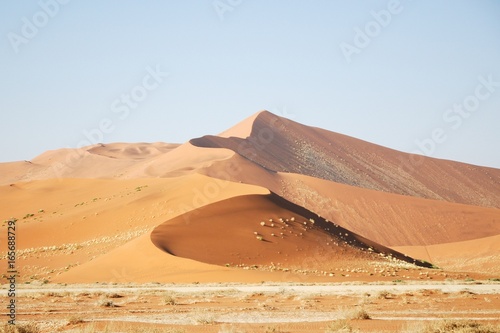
{"points": [[266, 230]]}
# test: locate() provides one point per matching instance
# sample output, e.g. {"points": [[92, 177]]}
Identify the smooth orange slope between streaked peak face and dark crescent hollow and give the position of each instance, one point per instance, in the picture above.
{"points": [[386, 218]]}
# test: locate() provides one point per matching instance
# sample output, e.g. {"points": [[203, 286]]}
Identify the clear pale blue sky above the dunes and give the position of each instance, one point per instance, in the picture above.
{"points": [[416, 76]]}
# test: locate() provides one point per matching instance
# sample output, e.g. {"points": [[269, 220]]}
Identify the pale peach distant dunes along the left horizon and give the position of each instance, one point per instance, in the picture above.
{"points": [[113, 161]]}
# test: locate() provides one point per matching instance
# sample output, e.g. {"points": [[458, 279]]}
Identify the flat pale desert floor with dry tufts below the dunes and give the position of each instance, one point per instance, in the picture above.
{"points": [[267, 307]]}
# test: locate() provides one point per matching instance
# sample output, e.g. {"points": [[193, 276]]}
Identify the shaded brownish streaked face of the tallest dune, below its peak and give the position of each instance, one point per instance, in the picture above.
{"points": [[281, 145]]}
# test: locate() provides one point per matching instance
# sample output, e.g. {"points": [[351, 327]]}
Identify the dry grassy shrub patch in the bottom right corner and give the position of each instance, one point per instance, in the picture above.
{"points": [[455, 326]]}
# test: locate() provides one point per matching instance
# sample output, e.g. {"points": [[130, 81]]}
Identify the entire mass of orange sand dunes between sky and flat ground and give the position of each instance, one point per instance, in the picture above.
{"points": [[210, 209]]}
